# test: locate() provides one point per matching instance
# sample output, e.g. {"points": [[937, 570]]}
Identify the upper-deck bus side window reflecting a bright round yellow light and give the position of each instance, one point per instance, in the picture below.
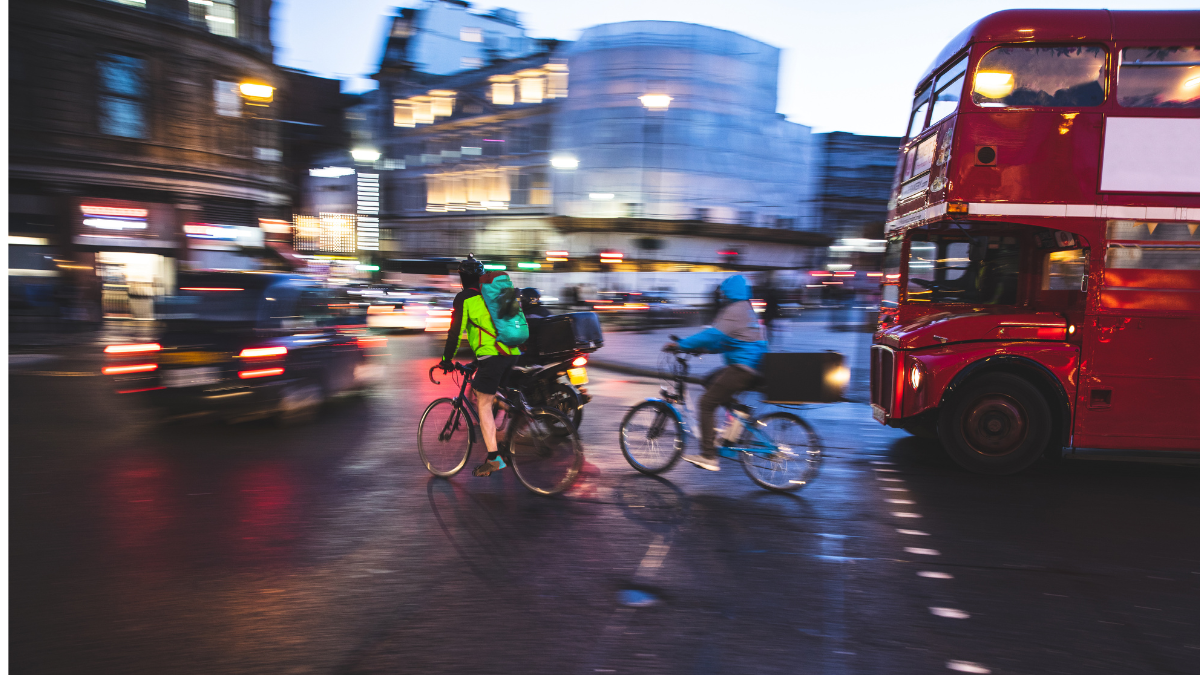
{"points": [[1040, 76]]}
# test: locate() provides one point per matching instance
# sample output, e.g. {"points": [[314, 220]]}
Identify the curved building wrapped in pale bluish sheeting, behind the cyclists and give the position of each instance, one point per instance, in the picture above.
{"points": [[675, 121]]}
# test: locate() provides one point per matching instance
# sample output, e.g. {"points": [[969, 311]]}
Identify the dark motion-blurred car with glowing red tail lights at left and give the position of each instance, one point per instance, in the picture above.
{"points": [[248, 345]]}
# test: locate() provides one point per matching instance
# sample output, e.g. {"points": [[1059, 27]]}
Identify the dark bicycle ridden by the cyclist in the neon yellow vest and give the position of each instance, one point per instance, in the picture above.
{"points": [[542, 445]]}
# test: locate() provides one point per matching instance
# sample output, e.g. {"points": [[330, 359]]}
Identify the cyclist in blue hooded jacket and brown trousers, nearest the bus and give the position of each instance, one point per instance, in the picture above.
{"points": [[736, 333]]}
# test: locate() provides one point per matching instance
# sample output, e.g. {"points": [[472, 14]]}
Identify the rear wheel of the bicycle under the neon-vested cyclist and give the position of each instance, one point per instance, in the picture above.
{"points": [[547, 451]]}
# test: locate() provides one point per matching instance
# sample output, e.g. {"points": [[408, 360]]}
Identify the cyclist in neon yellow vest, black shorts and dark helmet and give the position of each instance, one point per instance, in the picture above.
{"points": [[473, 322]]}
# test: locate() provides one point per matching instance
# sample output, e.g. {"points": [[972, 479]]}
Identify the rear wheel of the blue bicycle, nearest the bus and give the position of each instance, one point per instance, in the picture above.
{"points": [[795, 458]]}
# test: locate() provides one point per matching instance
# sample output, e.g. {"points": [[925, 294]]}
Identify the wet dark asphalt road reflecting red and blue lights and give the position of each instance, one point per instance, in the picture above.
{"points": [[139, 548]]}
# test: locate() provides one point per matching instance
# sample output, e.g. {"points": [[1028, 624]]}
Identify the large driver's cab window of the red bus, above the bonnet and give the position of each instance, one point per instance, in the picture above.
{"points": [[957, 268]]}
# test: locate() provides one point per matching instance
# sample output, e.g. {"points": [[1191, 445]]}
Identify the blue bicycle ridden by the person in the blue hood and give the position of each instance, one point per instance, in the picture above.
{"points": [[779, 451]]}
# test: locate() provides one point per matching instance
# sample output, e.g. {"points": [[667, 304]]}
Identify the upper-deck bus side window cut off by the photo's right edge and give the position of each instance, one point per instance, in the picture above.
{"points": [[1160, 77]]}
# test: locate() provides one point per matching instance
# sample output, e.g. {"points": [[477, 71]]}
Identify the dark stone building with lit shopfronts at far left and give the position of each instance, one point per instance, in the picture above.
{"points": [[143, 139]]}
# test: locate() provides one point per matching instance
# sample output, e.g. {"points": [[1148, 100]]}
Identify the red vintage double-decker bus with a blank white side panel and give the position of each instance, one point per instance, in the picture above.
{"points": [[1042, 283]]}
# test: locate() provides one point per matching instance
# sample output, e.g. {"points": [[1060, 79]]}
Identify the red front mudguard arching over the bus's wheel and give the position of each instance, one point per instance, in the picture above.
{"points": [[945, 363]]}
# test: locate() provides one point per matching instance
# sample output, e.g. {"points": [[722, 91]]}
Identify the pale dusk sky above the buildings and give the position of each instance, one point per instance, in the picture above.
{"points": [[845, 67]]}
